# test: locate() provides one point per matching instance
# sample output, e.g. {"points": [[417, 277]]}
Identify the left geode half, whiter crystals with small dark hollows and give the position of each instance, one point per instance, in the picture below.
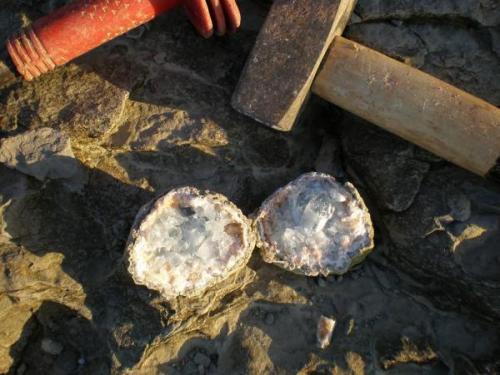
{"points": [[185, 241]]}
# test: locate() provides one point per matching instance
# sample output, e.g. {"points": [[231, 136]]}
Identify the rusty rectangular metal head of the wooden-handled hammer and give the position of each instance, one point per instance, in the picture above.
{"points": [[281, 68]]}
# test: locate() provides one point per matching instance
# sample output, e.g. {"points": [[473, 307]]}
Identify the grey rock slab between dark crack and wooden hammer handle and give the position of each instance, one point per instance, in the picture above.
{"points": [[454, 53]]}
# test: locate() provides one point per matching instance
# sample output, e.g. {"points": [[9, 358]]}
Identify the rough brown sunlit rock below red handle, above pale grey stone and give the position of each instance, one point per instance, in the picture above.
{"points": [[69, 99]]}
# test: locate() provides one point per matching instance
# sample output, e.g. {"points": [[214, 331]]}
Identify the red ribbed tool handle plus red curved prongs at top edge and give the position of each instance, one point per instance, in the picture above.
{"points": [[83, 25]]}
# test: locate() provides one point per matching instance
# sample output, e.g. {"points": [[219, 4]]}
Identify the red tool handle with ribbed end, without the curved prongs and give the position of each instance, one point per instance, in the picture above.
{"points": [[76, 29]]}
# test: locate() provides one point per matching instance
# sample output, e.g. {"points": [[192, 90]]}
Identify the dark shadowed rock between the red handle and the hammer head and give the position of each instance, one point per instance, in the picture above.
{"points": [[166, 62]]}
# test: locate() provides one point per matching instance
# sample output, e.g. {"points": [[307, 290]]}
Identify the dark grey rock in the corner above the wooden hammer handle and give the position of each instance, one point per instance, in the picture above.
{"points": [[453, 40]]}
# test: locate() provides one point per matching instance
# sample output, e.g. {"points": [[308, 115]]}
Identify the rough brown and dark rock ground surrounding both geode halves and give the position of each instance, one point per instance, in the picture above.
{"points": [[150, 113]]}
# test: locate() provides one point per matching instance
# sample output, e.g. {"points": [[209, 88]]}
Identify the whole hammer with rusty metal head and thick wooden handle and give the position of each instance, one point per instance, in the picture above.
{"points": [[299, 50]]}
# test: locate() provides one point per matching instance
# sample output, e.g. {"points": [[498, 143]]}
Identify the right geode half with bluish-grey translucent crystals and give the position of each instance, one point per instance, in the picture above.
{"points": [[314, 226]]}
